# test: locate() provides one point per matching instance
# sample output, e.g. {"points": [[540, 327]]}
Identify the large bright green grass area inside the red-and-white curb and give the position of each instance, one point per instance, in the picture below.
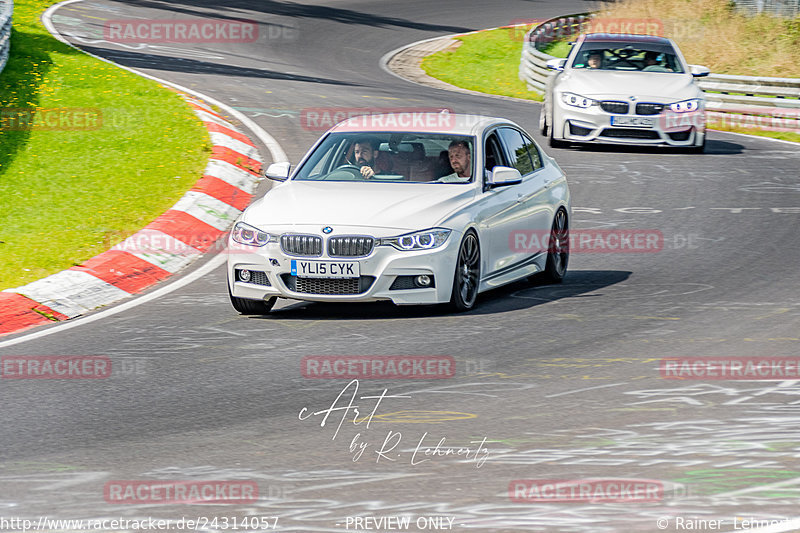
{"points": [[66, 196]]}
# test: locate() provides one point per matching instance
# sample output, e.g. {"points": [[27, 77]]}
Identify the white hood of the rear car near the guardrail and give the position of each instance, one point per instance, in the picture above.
{"points": [[658, 86]]}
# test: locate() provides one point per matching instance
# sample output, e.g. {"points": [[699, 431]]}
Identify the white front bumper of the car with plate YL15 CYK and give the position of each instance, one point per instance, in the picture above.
{"points": [[271, 275]]}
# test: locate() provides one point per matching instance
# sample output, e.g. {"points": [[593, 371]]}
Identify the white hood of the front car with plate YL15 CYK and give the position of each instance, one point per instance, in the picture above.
{"points": [[402, 206]]}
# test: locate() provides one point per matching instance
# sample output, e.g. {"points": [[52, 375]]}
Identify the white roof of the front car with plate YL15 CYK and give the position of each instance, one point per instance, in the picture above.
{"points": [[417, 122]]}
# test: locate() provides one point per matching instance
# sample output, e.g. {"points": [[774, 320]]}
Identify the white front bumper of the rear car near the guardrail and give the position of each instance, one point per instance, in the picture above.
{"points": [[593, 124]]}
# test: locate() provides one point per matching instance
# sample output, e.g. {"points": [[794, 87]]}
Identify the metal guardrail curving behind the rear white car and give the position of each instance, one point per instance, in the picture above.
{"points": [[736, 99]]}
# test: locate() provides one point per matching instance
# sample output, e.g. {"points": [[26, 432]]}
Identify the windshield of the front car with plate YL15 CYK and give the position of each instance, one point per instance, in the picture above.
{"points": [[391, 157]]}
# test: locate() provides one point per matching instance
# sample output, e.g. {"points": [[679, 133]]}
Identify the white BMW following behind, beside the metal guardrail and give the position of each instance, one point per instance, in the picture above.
{"points": [[624, 89]]}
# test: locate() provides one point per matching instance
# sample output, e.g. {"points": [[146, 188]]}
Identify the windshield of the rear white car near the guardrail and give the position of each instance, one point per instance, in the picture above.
{"points": [[611, 55]]}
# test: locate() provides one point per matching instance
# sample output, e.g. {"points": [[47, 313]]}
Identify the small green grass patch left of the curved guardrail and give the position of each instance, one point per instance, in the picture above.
{"points": [[486, 61]]}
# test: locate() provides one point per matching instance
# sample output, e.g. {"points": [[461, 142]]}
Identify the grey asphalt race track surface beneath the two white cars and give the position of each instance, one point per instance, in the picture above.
{"points": [[563, 382]]}
